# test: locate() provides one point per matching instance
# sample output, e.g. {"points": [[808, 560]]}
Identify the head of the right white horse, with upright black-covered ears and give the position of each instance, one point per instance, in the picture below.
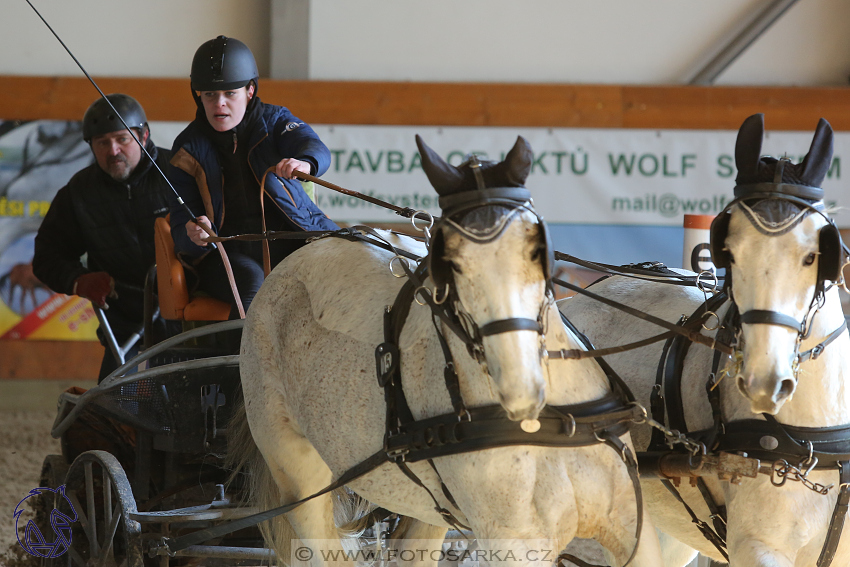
{"points": [[779, 248]]}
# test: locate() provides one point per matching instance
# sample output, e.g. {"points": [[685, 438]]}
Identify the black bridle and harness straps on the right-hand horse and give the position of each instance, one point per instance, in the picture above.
{"points": [[821, 447]]}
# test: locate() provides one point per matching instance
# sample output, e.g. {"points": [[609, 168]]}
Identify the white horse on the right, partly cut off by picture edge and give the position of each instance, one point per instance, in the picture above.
{"points": [[777, 254]]}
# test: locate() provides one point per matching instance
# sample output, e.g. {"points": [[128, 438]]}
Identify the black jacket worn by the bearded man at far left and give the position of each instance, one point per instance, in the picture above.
{"points": [[113, 223]]}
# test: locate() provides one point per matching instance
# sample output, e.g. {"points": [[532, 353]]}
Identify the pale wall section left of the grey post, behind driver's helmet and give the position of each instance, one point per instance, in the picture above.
{"points": [[125, 38]]}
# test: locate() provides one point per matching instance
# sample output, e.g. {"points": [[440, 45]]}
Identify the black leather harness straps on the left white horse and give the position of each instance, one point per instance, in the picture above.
{"points": [[407, 440]]}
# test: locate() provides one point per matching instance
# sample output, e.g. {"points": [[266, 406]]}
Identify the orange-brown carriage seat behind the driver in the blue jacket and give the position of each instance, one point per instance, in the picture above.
{"points": [[174, 300]]}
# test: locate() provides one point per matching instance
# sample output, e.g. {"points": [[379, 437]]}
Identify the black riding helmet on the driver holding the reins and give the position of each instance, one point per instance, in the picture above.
{"points": [[221, 64]]}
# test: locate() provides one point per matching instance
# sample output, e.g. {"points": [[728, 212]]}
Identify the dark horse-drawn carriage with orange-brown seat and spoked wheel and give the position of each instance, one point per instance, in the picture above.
{"points": [[143, 452]]}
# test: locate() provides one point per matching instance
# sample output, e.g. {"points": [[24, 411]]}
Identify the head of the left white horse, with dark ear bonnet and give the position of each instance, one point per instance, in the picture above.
{"points": [[489, 226]]}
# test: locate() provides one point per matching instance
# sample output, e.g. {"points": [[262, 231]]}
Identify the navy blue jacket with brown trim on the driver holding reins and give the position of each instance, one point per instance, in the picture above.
{"points": [[196, 175]]}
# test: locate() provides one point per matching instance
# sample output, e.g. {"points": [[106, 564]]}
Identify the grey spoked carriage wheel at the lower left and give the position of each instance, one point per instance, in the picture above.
{"points": [[104, 534]]}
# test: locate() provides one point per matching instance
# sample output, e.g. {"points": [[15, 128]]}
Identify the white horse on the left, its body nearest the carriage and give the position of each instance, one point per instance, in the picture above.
{"points": [[315, 408]]}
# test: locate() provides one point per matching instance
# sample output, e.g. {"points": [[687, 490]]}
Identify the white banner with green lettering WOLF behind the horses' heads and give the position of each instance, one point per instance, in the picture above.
{"points": [[579, 176]]}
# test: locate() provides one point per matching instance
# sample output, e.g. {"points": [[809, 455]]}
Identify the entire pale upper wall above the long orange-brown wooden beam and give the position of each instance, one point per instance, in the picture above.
{"points": [[562, 41]]}
